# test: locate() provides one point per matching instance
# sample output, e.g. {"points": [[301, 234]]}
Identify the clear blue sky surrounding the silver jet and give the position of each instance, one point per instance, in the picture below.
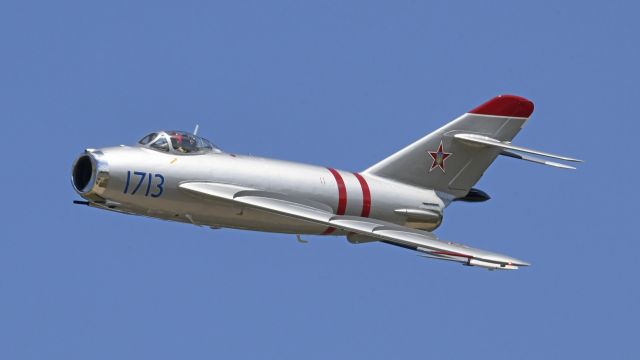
{"points": [[333, 83]]}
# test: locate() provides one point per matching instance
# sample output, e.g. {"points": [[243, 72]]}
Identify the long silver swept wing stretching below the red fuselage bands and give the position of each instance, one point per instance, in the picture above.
{"points": [[390, 233]]}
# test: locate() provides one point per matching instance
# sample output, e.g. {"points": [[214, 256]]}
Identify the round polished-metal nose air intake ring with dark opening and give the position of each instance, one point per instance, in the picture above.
{"points": [[90, 174]]}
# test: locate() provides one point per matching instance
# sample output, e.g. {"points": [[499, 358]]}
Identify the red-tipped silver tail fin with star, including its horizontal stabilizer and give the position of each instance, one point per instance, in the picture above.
{"points": [[453, 158]]}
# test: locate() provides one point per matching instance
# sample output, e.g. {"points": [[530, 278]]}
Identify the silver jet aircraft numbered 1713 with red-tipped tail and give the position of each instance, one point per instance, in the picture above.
{"points": [[179, 176]]}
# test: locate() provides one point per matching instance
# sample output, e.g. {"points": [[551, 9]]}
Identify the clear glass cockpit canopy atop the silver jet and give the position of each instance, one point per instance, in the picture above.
{"points": [[178, 142]]}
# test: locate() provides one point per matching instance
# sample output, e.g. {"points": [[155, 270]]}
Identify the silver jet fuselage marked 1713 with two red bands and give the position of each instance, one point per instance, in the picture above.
{"points": [[117, 171]]}
